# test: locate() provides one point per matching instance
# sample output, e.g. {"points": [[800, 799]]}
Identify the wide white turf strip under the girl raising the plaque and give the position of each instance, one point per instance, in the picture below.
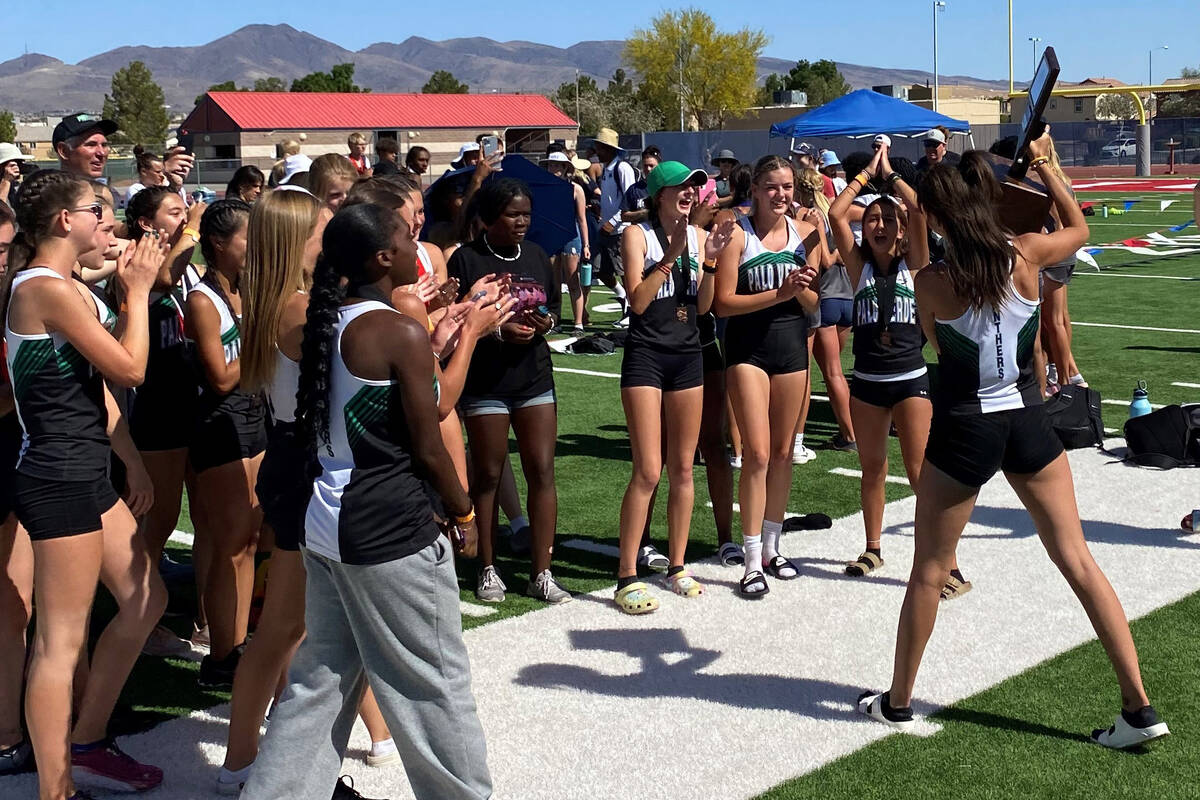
{"points": [[789, 667]]}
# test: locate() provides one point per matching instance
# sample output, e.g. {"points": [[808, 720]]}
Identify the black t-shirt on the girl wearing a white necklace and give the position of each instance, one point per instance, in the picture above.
{"points": [[507, 369]]}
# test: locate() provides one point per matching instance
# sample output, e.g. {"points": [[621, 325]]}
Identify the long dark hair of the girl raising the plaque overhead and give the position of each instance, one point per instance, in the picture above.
{"points": [[979, 251]]}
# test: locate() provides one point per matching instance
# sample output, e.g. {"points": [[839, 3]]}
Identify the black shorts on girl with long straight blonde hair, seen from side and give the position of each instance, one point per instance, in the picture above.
{"points": [[284, 490]]}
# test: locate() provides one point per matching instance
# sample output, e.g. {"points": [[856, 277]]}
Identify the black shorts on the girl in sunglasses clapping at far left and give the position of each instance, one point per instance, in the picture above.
{"points": [[56, 509]]}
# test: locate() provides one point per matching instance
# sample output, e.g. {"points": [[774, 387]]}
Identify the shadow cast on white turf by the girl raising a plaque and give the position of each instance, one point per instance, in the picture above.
{"points": [[685, 678]]}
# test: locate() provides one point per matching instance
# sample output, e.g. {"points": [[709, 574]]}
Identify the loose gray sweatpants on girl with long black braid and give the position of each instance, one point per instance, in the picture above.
{"points": [[399, 627]]}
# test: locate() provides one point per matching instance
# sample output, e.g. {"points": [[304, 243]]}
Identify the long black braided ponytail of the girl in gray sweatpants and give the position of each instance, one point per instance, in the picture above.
{"points": [[351, 240]]}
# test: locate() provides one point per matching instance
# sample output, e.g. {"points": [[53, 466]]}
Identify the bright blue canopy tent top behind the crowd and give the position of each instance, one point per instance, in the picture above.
{"points": [[866, 113]]}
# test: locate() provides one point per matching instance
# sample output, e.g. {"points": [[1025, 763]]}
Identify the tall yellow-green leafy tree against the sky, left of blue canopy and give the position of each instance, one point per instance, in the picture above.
{"points": [[682, 56]]}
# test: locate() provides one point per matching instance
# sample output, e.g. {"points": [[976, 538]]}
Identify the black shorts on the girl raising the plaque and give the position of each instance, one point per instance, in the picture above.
{"points": [[973, 448]]}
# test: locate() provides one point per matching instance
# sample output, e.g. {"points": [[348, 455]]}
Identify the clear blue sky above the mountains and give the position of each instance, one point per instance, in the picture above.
{"points": [[1093, 38]]}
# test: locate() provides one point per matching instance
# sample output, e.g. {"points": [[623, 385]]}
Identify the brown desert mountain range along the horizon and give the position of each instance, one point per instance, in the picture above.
{"points": [[37, 83]]}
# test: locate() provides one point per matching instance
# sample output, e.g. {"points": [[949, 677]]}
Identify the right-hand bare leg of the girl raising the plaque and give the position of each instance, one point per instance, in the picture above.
{"points": [[1051, 498]]}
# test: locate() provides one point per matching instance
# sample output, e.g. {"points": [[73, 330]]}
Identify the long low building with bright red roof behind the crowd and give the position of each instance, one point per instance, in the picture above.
{"points": [[249, 127]]}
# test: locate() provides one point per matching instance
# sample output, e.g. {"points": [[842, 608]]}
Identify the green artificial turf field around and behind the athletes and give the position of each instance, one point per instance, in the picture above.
{"points": [[1018, 739]]}
